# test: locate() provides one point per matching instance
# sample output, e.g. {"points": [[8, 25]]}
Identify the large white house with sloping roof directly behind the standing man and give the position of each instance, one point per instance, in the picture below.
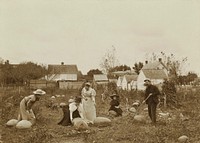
{"points": [[155, 71]]}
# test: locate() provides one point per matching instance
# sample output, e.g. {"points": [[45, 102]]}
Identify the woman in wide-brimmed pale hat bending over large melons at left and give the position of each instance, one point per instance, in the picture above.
{"points": [[26, 112]]}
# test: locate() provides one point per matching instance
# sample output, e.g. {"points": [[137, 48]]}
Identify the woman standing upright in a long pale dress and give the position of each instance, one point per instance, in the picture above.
{"points": [[88, 100]]}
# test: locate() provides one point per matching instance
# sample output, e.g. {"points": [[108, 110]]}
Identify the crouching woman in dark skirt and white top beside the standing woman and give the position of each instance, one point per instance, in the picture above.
{"points": [[71, 111]]}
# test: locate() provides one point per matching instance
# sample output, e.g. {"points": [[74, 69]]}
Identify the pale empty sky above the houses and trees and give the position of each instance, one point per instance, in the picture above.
{"points": [[81, 31]]}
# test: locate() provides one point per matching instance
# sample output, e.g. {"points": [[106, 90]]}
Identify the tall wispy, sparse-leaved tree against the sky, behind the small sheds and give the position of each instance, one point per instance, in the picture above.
{"points": [[109, 60]]}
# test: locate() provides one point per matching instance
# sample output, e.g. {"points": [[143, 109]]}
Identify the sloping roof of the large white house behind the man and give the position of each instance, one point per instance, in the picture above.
{"points": [[154, 74]]}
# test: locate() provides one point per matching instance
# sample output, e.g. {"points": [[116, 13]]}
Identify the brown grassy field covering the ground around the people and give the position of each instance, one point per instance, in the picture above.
{"points": [[123, 129]]}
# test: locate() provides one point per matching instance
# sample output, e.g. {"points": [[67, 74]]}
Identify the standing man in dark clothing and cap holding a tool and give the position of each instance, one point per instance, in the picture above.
{"points": [[151, 98]]}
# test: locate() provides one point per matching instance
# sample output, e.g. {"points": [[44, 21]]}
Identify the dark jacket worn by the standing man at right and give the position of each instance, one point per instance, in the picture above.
{"points": [[155, 93]]}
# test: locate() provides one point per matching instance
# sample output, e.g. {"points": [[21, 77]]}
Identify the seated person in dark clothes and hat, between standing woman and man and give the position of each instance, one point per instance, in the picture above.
{"points": [[114, 106]]}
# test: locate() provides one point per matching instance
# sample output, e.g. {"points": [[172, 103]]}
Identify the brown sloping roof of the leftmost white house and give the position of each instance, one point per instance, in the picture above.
{"points": [[63, 69]]}
